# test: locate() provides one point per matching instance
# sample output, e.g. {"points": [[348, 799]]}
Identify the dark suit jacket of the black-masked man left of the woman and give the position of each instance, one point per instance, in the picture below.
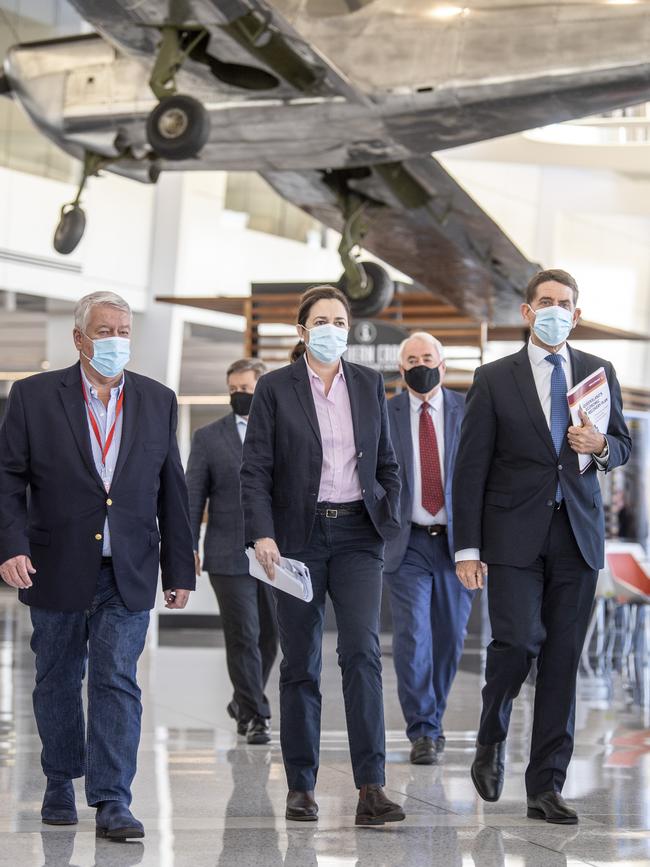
{"points": [[213, 474]]}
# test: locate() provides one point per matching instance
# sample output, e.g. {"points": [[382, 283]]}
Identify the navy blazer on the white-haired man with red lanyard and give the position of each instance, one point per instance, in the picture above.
{"points": [[45, 445]]}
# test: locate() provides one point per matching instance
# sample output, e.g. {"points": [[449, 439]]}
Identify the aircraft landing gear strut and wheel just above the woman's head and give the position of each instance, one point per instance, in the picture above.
{"points": [[366, 284]]}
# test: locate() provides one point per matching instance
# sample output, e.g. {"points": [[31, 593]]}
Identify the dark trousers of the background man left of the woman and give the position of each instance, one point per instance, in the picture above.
{"points": [[251, 635]]}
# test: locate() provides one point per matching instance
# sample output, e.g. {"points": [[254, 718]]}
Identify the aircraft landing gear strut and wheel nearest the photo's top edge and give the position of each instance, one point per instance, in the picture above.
{"points": [[179, 126]]}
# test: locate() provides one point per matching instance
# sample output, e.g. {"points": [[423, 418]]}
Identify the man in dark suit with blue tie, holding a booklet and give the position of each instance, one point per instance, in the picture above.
{"points": [[522, 506]]}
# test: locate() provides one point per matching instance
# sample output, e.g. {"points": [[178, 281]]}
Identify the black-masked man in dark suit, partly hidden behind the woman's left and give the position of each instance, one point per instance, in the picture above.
{"points": [[246, 605]]}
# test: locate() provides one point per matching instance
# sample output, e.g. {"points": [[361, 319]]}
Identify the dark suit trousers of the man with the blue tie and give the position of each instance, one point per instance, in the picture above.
{"points": [[540, 611]]}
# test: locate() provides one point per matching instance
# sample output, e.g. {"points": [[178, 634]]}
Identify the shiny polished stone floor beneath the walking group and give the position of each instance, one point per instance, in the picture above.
{"points": [[208, 799]]}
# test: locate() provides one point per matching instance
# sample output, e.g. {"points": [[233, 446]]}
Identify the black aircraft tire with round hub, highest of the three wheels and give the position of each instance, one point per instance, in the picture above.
{"points": [[178, 127]]}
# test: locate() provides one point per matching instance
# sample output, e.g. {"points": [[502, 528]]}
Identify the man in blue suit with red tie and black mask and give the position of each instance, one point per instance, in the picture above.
{"points": [[430, 606]]}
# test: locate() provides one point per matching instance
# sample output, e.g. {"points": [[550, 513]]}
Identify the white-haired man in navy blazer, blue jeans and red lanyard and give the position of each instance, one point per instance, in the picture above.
{"points": [[95, 447]]}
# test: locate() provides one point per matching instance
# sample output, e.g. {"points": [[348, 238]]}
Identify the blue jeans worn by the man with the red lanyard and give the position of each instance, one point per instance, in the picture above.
{"points": [[109, 639]]}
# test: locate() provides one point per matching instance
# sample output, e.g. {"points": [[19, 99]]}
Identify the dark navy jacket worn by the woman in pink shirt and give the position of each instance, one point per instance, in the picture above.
{"points": [[281, 469]]}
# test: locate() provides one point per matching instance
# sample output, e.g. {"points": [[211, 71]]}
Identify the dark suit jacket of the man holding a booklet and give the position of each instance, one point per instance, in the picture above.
{"points": [[507, 468]]}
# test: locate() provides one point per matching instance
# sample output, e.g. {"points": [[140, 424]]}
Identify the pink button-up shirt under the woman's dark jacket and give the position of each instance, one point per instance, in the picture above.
{"points": [[339, 479]]}
